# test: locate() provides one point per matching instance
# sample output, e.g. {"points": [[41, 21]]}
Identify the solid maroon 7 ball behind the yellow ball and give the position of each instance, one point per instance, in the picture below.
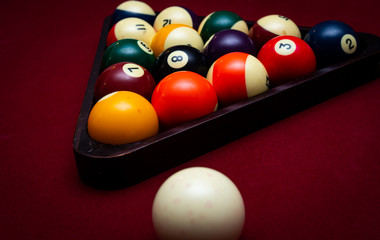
{"points": [[124, 76]]}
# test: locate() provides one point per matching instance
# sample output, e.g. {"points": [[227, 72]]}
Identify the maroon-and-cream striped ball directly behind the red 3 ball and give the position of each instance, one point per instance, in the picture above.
{"points": [[272, 26]]}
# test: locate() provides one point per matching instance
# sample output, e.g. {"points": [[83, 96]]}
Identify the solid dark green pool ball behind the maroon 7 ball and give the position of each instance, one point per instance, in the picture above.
{"points": [[129, 50]]}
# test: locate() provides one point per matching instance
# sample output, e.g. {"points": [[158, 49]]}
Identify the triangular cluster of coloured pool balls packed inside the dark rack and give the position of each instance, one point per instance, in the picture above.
{"points": [[162, 70]]}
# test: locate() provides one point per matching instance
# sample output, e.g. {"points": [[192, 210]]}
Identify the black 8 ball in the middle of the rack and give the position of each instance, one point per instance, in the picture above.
{"points": [[180, 58]]}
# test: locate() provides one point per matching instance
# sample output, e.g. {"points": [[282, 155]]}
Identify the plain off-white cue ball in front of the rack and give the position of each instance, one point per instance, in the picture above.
{"points": [[198, 203]]}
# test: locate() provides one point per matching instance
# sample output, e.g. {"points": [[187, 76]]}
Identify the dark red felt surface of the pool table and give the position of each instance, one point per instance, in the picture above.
{"points": [[313, 175]]}
